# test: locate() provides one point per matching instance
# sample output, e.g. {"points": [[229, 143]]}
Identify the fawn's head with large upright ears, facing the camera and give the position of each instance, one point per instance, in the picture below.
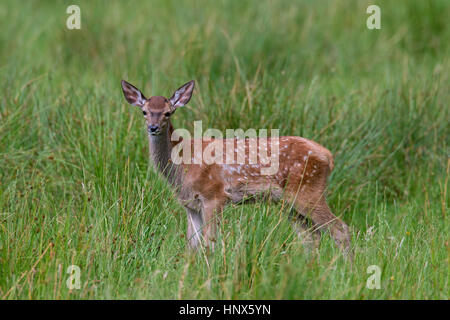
{"points": [[158, 109]]}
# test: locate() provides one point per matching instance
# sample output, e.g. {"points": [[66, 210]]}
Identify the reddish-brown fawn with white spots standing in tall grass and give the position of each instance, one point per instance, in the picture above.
{"points": [[204, 189]]}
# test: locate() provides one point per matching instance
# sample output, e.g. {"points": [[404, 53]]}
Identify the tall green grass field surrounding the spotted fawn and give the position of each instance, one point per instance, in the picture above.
{"points": [[76, 187]]}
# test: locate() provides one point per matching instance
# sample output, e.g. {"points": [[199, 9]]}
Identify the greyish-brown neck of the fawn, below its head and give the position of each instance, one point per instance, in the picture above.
{"points": [[160, 147]]}
